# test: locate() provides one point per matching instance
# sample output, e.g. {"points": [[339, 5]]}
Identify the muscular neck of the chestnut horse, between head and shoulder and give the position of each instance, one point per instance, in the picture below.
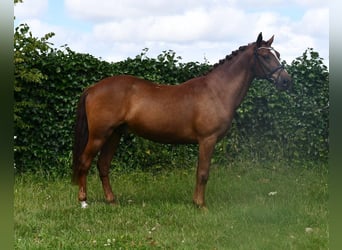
{"points": [[231, 80]]}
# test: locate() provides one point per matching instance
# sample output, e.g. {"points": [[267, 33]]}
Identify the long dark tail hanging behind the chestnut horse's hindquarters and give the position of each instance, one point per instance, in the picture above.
{"points": [[81, 136]]}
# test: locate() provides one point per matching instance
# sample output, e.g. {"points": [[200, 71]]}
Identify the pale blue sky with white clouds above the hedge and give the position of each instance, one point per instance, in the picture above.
{"points": [[197, 30]]}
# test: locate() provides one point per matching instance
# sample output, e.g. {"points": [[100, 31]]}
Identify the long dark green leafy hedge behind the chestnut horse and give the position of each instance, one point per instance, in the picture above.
{"points": [[268, 124]]}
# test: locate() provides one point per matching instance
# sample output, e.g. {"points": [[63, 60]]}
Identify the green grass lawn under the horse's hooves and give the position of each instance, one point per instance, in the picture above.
{"points": [[251, 206]]}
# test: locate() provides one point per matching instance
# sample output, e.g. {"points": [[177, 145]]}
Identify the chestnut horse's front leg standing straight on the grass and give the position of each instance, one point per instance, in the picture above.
{"points": [[206, 149]]}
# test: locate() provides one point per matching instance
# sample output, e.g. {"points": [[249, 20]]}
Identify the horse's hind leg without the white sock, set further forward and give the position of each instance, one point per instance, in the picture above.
{"points": [[103, 164]]}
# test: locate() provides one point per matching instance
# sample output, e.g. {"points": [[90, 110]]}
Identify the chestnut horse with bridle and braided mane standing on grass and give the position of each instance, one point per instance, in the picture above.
{"points": [[198, 111]]}
